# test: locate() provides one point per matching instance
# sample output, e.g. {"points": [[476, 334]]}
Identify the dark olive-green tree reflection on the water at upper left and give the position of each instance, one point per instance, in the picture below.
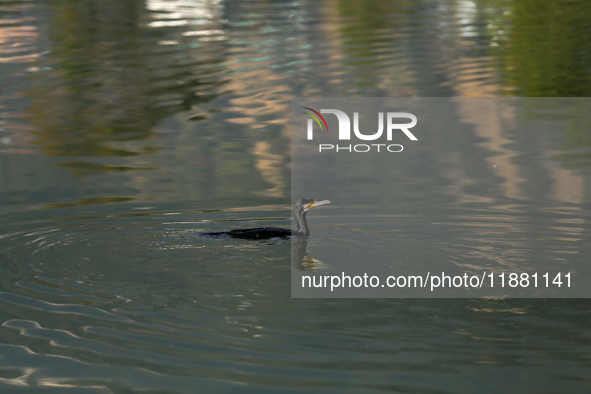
{"points": [[112, 81]]}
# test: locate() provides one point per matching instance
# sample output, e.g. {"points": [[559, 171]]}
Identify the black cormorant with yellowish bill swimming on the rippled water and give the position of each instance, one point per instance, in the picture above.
{"points": [[299, 212]]}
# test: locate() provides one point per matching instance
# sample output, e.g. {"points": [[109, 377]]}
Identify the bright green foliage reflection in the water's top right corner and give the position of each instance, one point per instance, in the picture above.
{"points": [[545, 50]]}
